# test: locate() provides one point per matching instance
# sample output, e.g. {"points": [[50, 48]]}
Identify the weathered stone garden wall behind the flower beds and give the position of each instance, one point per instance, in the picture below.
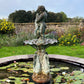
{"points": [[29, 27]]}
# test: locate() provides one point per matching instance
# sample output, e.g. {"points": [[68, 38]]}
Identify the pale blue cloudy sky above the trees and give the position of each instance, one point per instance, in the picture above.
{"points": [[71, 8]]}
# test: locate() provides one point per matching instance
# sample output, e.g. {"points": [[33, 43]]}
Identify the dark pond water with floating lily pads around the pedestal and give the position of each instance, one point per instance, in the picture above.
{"points": [[21, 73]]}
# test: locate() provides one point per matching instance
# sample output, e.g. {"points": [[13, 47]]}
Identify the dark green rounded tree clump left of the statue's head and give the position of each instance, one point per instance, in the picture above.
{"points": [[21, 16]]}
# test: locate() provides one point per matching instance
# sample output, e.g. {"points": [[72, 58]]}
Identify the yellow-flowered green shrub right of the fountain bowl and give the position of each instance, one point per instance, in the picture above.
{"points": [[68, 40]]}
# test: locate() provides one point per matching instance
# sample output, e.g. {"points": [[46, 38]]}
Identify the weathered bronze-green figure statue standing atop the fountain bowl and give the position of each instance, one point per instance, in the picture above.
{"points": [[40, 25]]}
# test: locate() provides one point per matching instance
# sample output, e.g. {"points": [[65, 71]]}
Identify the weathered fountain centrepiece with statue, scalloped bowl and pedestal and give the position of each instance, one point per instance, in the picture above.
{"points": [[41, 68]]}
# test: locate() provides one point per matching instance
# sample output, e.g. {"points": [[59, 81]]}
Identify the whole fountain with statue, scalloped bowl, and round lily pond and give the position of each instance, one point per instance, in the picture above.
{"points": [[21, 70]]}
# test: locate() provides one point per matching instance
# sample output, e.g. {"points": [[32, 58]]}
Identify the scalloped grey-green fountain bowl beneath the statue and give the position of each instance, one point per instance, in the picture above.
{"points": [[43, 43]]}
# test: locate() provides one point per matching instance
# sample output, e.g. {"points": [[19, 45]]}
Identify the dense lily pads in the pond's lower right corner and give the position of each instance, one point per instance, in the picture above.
{"points": [[76, 77]]}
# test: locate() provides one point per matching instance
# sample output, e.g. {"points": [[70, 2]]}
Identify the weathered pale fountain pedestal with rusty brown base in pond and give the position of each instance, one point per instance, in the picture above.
{"points": [[41, 68]]}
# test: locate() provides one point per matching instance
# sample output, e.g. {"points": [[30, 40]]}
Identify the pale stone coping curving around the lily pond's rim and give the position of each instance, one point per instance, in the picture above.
{"points": [[69, 59]]}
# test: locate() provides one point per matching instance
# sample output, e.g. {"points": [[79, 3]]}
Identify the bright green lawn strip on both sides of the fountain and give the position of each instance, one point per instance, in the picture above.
{"points": [[75, 51]]}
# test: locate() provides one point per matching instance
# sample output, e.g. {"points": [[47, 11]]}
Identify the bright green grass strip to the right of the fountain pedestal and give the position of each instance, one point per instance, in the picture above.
{"points": [[75, 51]]}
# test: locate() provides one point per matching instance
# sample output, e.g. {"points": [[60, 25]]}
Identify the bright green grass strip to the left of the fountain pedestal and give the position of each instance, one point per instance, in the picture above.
{"points": [[20, 50]]}
